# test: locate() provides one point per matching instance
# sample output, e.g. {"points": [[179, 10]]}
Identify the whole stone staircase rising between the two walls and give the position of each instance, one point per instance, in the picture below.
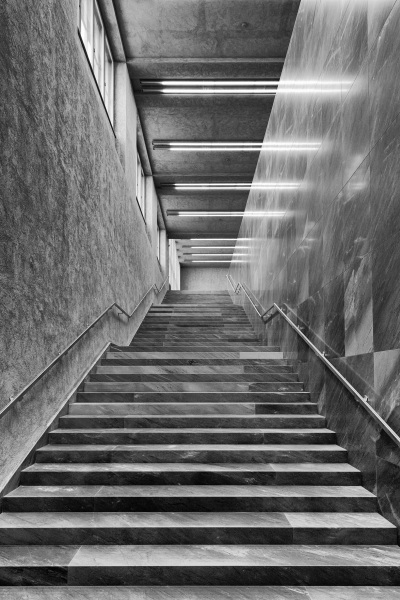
{"points": [[193, 466]]}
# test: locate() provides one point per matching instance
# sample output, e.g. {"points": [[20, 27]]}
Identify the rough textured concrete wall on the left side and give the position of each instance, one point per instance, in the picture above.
{"points": [[72, 237]]}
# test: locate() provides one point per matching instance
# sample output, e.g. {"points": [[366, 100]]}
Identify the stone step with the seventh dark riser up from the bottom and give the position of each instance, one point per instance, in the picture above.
{"points": [[215, 422]]}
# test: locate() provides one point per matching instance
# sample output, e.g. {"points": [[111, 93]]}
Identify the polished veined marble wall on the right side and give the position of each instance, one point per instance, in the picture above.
{"points": [[330, 247]]}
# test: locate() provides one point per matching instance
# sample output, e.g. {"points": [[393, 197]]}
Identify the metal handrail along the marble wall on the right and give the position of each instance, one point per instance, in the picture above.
{"points": [[363, 400]]}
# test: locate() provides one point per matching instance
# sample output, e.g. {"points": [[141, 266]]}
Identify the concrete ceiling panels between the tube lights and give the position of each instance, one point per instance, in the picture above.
{"points": [[202, 40]]}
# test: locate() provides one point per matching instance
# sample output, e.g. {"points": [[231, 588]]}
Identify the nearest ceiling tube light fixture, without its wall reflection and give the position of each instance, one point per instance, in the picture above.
{"points": [[185, 87]]}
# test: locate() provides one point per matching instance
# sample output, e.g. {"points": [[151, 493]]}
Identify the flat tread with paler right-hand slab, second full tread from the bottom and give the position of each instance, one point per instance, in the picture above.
{"points": [[285, 519]]}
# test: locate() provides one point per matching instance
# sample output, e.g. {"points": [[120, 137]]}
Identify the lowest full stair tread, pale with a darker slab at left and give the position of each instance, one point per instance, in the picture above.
{"points": [[186, 556]]}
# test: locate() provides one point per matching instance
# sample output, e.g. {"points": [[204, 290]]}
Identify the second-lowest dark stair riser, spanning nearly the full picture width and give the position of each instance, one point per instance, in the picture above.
{"points": [[199, 535]]}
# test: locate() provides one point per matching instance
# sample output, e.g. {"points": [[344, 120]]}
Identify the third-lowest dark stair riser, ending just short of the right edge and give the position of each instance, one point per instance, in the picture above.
{"points": [[116, 503]]}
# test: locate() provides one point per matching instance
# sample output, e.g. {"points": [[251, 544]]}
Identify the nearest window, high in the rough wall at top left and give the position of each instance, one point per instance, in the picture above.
{"points": [[97, 48]]}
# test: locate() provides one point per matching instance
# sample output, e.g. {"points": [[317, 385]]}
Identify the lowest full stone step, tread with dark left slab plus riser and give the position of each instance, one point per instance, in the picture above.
{"points": [[197, 564]]}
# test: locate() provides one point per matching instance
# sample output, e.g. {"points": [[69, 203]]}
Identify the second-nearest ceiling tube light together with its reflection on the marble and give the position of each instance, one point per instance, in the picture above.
{"points": [[237, 146]]}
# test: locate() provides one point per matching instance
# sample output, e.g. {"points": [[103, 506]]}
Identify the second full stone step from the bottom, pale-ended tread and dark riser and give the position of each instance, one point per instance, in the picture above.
{"points": [[217, 528]]}
